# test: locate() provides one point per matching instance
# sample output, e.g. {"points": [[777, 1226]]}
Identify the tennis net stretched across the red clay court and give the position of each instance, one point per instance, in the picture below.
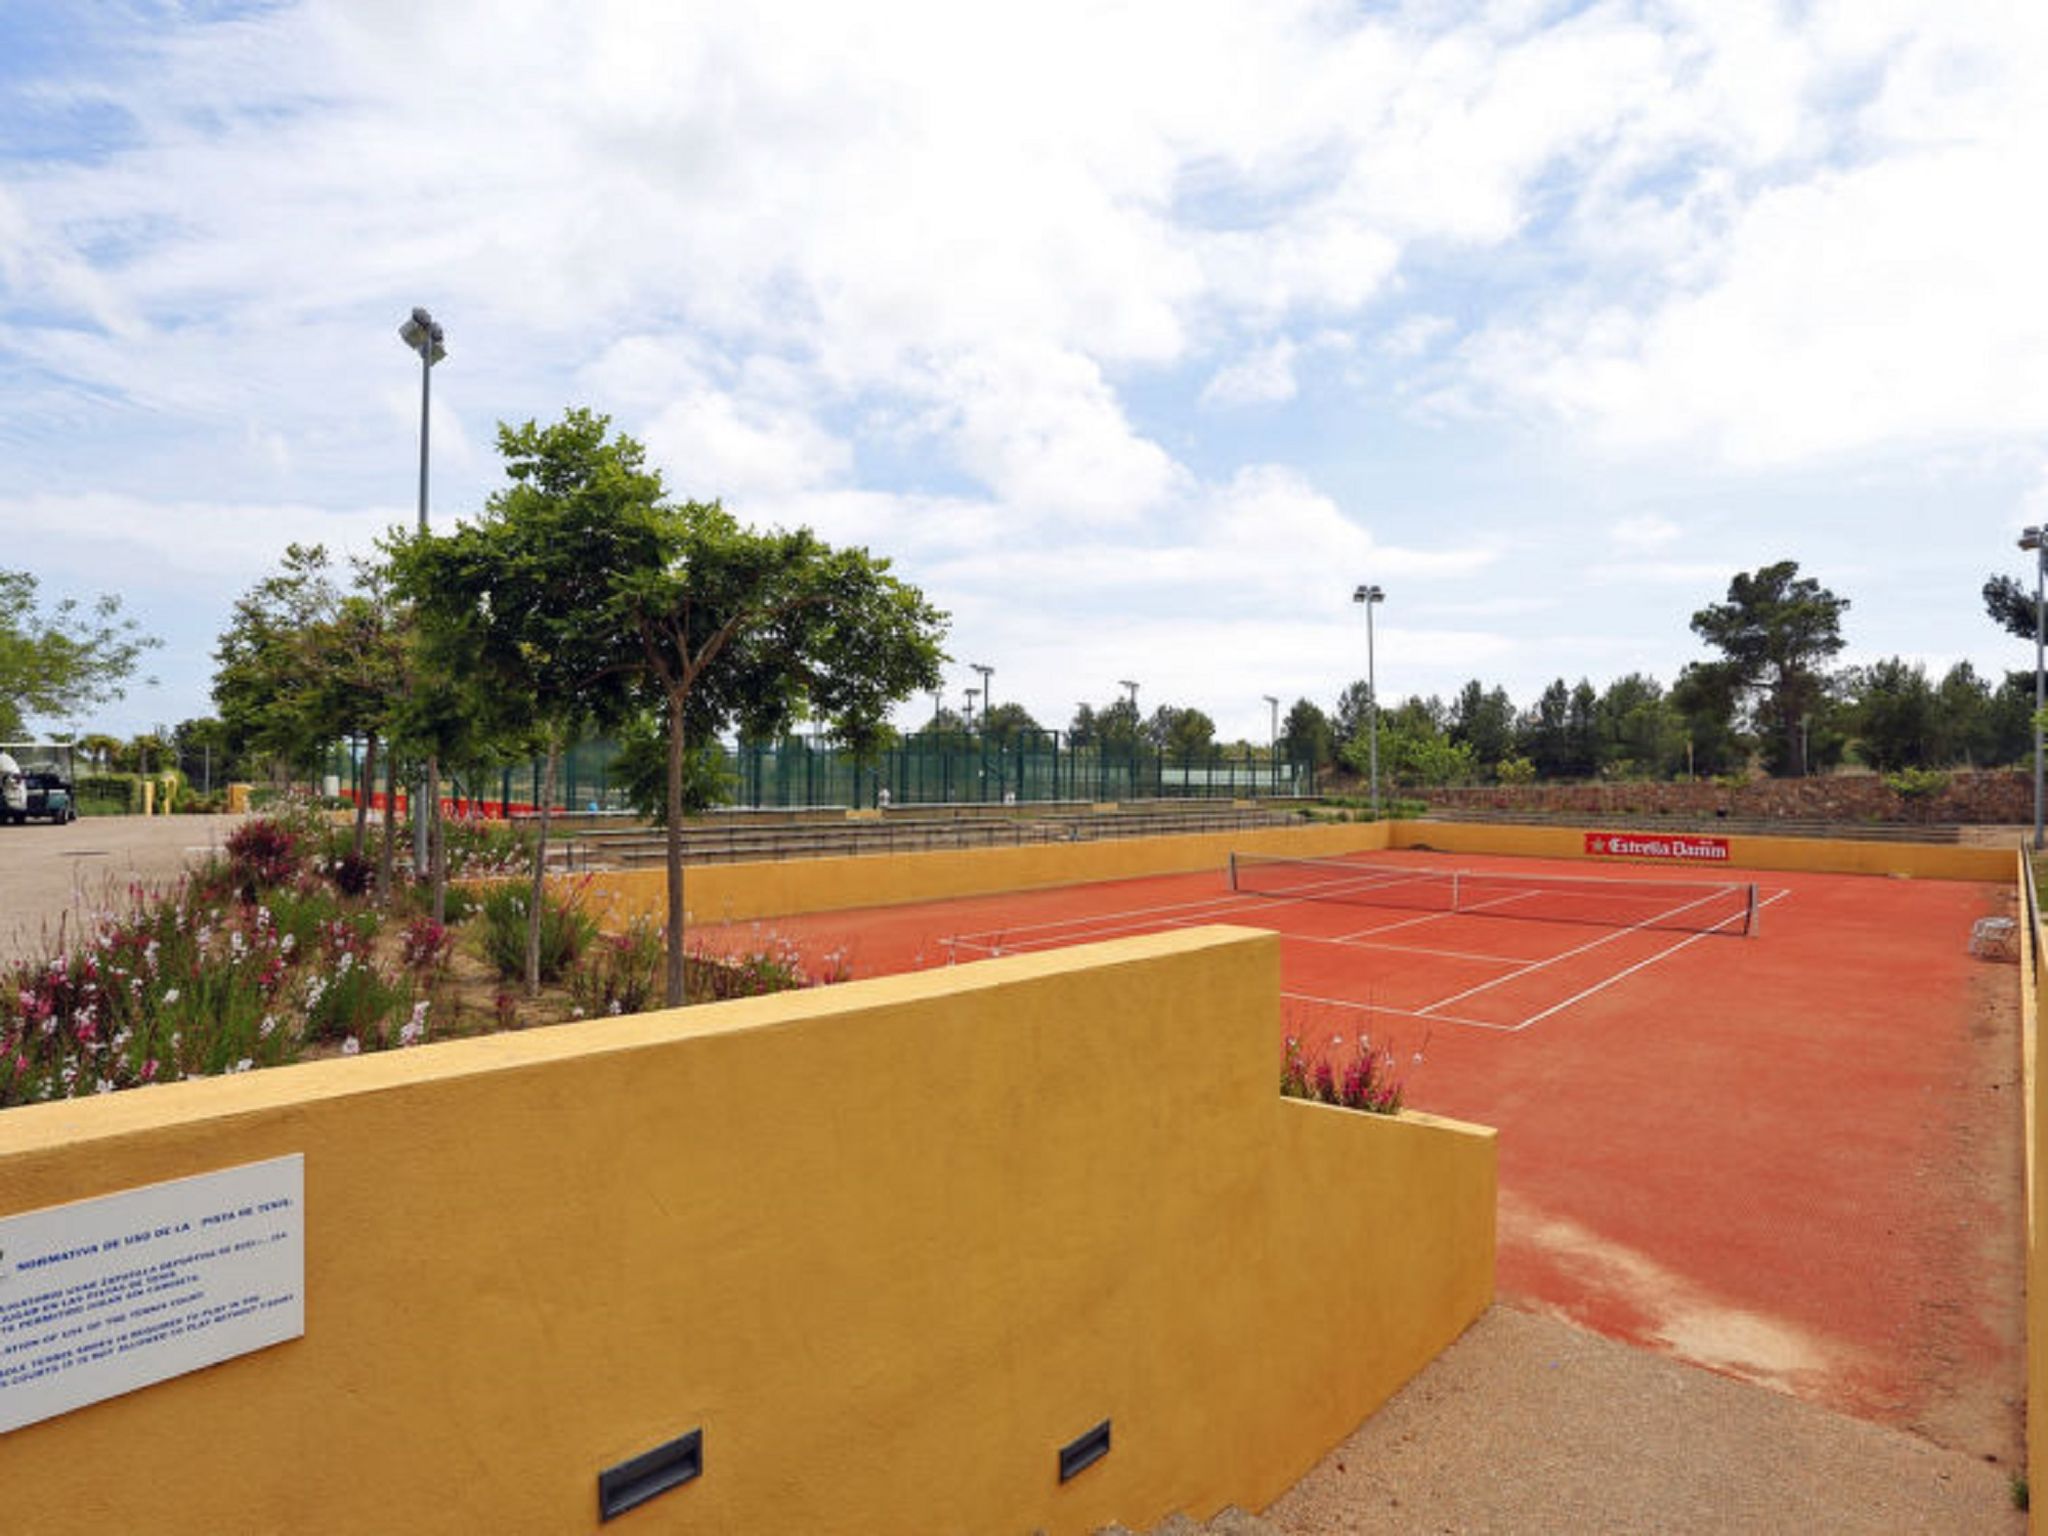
{"points": [[1680, 906]]}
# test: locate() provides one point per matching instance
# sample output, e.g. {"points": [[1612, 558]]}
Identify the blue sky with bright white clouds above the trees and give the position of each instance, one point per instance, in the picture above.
{"points": [[1136, 335]]}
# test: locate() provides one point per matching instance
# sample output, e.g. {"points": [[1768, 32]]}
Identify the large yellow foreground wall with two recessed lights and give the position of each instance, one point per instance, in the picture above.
{"points": [[886, 1244]]}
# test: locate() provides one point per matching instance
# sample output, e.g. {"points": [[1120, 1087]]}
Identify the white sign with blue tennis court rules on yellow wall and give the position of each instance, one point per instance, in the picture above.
{"points": [[132, 1289]]}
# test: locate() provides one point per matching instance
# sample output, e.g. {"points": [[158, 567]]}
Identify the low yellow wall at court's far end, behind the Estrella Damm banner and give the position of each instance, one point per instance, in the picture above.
{"points": [[1814, 855]]}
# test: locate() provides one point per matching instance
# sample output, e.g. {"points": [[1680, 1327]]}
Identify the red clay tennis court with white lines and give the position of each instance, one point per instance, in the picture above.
{"points": [[1764, 1123]]}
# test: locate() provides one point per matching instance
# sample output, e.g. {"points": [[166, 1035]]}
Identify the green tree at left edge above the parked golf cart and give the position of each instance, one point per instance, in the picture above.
{"points": [[67, 660]]}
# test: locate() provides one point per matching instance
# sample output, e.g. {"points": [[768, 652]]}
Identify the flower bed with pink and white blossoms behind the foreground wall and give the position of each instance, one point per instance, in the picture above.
{"points": [[280, 953]]}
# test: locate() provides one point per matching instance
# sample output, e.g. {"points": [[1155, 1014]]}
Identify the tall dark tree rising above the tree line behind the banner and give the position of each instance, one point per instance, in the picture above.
{"points": [[1775, 632]]}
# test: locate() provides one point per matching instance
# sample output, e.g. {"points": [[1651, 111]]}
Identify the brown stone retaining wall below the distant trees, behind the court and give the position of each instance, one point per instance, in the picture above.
{"points": [[1971, 798]]}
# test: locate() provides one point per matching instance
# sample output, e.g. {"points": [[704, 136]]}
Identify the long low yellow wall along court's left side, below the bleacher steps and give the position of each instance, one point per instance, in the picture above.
{"points": [[783, 888]]}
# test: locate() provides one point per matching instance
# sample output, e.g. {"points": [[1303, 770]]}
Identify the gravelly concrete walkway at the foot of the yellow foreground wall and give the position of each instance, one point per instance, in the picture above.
{"points": [[1535, 1426]]}
